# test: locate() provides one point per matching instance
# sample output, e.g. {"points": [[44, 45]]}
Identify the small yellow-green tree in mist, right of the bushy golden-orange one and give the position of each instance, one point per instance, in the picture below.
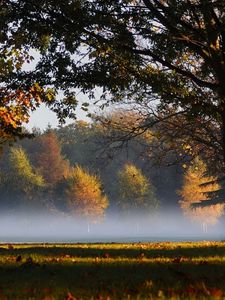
{"points": [[136, 193]]}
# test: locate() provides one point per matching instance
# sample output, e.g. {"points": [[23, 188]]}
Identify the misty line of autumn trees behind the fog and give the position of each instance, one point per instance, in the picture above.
{"points": [[83, 170]]}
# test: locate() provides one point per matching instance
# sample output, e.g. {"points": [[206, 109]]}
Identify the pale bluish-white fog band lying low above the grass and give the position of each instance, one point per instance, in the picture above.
{"points": [[50, 228]]}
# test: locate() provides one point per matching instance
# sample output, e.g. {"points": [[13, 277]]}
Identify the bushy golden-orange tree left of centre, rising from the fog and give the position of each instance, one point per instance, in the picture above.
{"points": [[84, 195]]}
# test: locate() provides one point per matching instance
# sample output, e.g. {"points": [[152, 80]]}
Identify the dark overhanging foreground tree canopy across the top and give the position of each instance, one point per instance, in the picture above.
{"points": [[169, 54]]}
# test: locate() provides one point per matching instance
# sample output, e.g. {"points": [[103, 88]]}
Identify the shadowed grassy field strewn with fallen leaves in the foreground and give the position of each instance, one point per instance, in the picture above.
{"points": [[113, 271]]}
